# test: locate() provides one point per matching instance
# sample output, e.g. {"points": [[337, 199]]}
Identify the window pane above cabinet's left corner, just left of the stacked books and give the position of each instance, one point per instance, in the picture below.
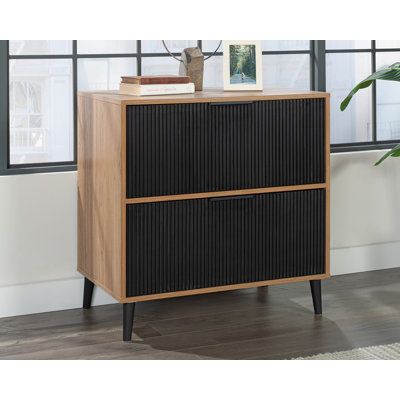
{"points": [[103, 73]]}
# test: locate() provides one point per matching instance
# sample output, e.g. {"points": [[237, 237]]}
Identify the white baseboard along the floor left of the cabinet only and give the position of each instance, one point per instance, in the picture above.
{"points": [[46, 296]]}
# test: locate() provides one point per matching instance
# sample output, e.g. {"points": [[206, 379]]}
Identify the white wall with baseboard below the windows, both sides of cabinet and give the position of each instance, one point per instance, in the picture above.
{"points": [[38, 231]]}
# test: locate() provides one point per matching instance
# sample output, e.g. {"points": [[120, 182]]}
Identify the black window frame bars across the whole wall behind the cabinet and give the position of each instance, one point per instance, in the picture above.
{"points": [[316, 51]]}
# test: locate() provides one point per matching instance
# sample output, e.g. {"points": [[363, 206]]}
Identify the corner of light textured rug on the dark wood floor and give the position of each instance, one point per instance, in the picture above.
{"points": [[384, 352]]}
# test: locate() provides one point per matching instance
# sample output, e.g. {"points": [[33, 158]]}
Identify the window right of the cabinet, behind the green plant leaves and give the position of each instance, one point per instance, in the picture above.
{"points": [[372, 118]]}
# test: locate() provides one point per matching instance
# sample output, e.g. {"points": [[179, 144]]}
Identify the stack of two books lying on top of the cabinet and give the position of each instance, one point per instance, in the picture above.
{"points": [[155, 85]]}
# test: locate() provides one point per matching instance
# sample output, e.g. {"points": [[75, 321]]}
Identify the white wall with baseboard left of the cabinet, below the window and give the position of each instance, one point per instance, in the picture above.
{"points": [[38, 244]]}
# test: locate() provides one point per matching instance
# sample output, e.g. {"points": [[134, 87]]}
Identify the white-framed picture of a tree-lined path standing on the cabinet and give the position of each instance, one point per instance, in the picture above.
{"points": [[242, 65]]}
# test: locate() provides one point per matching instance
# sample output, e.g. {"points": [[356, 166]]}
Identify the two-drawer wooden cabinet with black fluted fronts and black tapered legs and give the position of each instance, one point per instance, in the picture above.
{"points": [[190, 194]]}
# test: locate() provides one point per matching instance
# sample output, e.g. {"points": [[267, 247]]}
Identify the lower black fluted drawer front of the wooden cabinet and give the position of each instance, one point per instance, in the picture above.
{"points": [[191, 244]]}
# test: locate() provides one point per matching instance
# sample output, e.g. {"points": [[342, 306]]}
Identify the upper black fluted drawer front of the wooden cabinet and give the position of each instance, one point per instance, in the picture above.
{"points": [[204, 147]]}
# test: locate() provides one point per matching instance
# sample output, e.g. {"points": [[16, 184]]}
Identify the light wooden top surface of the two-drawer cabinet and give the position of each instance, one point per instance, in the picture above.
{"points": [[205, 96]]}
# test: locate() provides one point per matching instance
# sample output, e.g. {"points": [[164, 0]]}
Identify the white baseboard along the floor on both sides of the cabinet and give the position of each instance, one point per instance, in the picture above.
{"points": [[67, 293]]}
